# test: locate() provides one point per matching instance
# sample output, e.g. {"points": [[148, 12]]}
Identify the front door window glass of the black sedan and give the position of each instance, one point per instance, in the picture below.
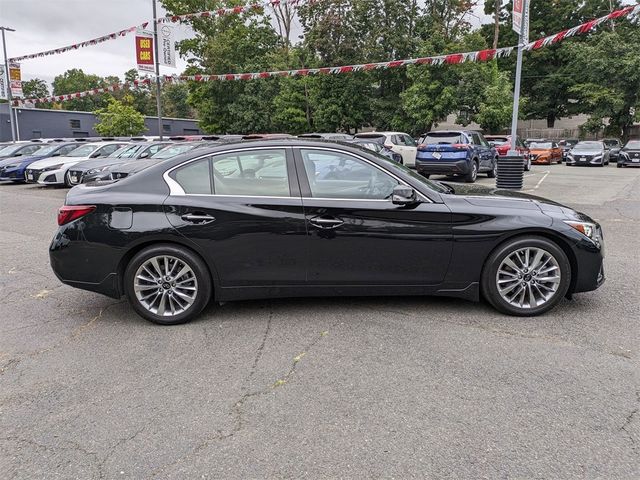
{"points": [[338, 175]]}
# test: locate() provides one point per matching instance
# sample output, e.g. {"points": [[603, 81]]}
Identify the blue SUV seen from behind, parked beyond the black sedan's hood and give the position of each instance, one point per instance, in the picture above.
{"points": [[462, 153]]}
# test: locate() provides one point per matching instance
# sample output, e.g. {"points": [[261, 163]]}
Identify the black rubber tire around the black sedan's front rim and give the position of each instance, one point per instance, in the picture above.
{"points": [[489, 278]]}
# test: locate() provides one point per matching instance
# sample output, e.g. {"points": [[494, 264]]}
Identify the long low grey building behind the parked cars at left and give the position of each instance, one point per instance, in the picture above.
{"points": [[43, 123]]}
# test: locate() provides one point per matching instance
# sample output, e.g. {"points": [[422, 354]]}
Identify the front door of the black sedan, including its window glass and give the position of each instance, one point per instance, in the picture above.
{"points": [[356, 235]]}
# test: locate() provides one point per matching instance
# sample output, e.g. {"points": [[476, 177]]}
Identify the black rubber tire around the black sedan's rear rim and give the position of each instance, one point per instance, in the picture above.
{"points": [[198, 267]]}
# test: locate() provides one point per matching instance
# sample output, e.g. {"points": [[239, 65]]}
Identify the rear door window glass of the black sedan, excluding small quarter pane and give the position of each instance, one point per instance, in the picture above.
{"points": [[260, 173]]}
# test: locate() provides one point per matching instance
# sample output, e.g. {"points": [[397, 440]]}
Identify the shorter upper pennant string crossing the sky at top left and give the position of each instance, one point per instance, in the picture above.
{"points": [[221, 12]]}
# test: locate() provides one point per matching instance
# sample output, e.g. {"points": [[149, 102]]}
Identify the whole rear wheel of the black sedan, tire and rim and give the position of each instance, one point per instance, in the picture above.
{"points": [[167, 284]]}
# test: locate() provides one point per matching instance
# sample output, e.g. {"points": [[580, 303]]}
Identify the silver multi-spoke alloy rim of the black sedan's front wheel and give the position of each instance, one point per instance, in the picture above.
{"points": [[528, 277]]}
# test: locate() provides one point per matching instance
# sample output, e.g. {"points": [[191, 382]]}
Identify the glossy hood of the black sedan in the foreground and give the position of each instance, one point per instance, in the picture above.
{"points": [[492, 197]]}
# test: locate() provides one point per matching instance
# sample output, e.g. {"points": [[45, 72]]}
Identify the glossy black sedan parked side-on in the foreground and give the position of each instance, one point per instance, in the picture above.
{"points": [[286, 218]]}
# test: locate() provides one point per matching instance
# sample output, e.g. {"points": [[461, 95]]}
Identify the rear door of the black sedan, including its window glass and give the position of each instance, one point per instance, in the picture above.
{"points": [[242, 209]]}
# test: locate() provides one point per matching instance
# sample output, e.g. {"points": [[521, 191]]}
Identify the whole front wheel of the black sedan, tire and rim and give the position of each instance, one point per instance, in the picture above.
{"points": [[526, 276]]}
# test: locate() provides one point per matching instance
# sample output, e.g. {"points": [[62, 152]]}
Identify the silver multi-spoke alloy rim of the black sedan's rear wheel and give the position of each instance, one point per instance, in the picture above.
{"points": [[165, 285]]}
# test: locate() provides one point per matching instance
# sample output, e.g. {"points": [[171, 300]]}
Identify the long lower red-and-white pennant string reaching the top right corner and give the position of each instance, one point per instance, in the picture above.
{"points": [[448, 59]]}
